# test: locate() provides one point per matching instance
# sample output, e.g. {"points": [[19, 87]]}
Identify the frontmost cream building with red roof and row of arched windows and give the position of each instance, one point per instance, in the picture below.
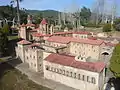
{"points": [[76, 74]]}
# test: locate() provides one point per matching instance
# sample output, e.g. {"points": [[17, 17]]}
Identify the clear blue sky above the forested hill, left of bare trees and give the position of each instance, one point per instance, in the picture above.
{"points": [[59, 5]]}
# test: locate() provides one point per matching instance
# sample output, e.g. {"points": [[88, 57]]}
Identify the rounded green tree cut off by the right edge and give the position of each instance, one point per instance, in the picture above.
{"points": [[115, 61]]}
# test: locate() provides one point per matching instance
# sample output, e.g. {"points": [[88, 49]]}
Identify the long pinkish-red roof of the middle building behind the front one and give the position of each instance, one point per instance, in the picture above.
{"points": [[66, 40]]}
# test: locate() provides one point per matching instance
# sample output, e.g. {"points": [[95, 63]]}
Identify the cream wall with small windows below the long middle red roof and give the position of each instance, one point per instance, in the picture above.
{"points": [[85, 50]]}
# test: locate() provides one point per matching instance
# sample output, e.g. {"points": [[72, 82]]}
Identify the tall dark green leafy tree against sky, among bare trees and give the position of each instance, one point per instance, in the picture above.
{"points": [[85, 15]]}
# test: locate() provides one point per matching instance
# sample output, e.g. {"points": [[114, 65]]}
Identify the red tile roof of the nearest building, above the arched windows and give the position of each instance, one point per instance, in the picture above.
{"points": [[71, 62]]}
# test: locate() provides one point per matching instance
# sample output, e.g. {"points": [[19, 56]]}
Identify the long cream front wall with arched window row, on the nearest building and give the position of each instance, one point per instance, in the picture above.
{"points": [[72, 82]]}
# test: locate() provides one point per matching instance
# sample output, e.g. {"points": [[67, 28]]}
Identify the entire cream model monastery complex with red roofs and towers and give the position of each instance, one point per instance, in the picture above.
{"points": [[74, 58]]}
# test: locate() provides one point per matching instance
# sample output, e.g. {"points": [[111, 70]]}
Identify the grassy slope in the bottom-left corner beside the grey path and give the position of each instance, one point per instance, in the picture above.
{"points": [[12, 79]]}
